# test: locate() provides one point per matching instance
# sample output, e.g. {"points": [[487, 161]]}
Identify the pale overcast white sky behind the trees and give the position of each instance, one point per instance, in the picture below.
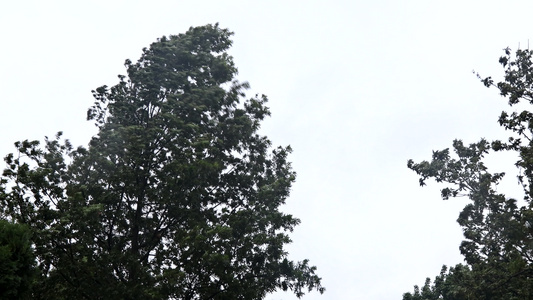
{"points": [[355, 87]]}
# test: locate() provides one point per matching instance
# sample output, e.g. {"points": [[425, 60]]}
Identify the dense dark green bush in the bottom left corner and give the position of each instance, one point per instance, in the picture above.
{"points": [[17, 261]]}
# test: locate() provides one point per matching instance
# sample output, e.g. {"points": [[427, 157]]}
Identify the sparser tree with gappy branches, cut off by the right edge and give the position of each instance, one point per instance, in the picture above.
{"points": [[498, 245]]}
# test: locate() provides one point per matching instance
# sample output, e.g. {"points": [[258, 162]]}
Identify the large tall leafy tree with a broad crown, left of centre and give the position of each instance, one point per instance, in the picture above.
{"points": [[176, 197]]}
